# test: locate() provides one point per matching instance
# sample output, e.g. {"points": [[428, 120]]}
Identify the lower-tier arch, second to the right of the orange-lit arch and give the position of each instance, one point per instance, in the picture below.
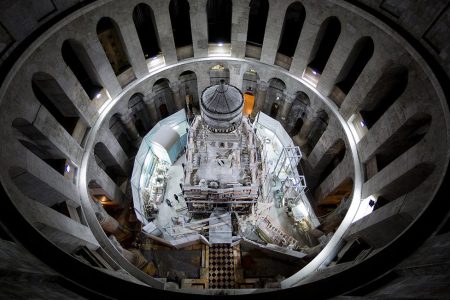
{"points": [[298, 113]]}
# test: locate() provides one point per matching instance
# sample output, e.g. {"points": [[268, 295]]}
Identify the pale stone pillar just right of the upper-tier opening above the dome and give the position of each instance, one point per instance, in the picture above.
{"points": [[239, 27]]}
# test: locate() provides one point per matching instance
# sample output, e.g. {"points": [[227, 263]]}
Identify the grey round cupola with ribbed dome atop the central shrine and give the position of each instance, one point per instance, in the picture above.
{"points": [[221, 107]]}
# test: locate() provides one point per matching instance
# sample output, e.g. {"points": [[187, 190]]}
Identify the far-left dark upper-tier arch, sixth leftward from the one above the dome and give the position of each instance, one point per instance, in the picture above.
{"points": [[32, 139]]}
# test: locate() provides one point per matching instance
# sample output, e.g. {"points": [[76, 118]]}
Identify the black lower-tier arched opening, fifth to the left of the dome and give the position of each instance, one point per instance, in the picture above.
{"points": [[108, 163]]}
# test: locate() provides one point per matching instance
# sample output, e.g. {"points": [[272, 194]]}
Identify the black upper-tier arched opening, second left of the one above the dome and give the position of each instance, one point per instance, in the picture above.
{"points": [[144, 21]]}
